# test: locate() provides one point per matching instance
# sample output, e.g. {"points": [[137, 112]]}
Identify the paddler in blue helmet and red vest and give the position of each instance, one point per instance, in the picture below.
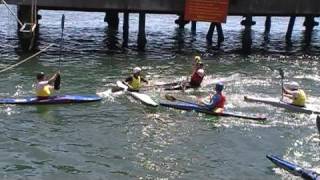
{"points": [[217, 101]]}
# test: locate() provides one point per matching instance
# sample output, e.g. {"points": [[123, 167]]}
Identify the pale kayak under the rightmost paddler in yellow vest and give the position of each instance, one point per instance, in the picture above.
{"points": [[282, 104]]}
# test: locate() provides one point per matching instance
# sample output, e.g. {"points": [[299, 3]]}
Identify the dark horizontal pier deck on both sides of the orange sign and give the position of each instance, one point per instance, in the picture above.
{"points": [[236, 7]]}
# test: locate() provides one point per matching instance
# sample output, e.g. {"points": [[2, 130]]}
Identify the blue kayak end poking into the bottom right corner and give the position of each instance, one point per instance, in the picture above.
{"points": [[294, 168]]}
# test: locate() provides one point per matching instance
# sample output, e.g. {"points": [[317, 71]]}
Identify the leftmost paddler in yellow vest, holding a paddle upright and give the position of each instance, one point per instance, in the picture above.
{"points": [[45, 87]]}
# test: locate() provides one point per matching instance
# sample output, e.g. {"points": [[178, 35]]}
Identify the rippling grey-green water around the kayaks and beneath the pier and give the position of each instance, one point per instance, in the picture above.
{"points": [[120, 138]]}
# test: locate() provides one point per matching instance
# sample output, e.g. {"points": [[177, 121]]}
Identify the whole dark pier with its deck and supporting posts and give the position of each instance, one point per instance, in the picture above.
{"points": [[246, 8]]}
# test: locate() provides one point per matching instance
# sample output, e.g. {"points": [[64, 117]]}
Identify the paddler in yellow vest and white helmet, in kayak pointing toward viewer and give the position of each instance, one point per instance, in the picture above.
{"points": [[134, 81]]}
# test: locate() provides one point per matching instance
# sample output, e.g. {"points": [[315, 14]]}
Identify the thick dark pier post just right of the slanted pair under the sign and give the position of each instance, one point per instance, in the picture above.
{"points": [[247, 39]]}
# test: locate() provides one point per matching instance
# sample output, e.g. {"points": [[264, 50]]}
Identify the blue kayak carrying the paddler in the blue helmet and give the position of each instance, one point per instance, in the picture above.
{"points": [[190, 106]]}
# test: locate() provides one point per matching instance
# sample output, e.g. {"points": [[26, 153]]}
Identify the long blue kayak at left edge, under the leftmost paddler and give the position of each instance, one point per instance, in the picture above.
{"points": [[63, 99]]}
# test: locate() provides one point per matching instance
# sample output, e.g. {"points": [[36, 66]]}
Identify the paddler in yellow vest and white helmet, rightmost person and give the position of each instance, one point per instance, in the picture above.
{"points": [[295, 93]]}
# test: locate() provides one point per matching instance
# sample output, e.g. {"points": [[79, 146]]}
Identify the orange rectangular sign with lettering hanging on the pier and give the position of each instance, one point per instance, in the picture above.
{"points": [[206, 10]]}
